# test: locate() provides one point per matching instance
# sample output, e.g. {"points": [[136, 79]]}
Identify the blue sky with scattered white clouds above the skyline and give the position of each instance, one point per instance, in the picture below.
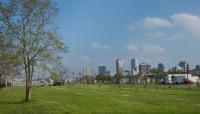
{"points": [[101, 31]]}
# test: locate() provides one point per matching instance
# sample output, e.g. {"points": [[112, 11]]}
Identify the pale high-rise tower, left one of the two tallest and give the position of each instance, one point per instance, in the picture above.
{"points": [[120, 67]]}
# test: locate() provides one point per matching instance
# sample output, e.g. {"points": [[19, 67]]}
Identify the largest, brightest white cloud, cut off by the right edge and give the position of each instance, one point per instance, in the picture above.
{"points": [[191, 23]]}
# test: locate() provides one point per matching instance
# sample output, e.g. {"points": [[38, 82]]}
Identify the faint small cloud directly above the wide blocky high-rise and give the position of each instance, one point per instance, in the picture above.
{"points": [[153, 49]]}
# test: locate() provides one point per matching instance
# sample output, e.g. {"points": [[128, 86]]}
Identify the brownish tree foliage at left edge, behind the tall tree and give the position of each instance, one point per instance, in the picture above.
{"points": [[9, 63]]}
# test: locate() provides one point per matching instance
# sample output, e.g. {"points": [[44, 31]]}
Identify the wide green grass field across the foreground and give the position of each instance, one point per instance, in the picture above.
{"points": [[104, 100]]}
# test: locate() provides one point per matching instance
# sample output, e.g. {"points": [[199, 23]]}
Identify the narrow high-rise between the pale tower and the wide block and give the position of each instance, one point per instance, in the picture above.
{"points": [[134, 66]]}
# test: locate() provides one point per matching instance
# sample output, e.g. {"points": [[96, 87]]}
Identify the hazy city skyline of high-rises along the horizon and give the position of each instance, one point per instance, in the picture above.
{"points": [[136, 67]]}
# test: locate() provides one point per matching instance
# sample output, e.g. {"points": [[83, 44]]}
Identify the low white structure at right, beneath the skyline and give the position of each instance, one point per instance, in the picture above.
{"points": [[179, 78]]}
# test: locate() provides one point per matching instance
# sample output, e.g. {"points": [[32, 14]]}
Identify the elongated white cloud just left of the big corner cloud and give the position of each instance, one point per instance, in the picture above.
{"points": [[156, 22]]}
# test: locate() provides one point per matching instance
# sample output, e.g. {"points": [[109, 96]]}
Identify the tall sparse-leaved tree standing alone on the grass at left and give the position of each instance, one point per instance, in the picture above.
{"points": [[29, 24]]}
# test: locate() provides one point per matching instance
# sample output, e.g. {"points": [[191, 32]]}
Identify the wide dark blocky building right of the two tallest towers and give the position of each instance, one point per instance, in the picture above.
{"points": [[144, 68]]}
